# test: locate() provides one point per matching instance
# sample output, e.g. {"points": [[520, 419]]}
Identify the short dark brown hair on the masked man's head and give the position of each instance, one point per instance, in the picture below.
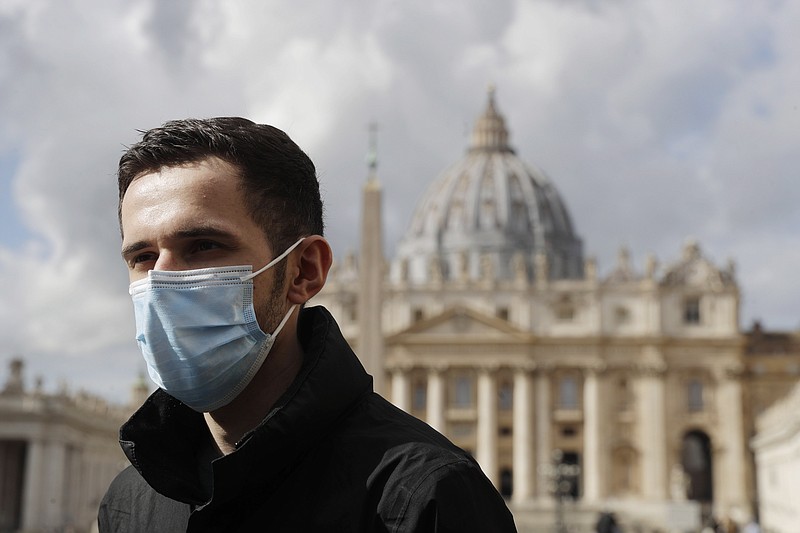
{"points": [[279, 181]]}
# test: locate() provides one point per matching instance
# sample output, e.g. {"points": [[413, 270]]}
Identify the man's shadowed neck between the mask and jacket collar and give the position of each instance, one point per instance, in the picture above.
{"points": [[230, 423]]}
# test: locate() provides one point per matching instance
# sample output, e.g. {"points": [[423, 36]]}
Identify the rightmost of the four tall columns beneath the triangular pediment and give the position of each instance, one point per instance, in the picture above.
{"points": [[523, 435]]}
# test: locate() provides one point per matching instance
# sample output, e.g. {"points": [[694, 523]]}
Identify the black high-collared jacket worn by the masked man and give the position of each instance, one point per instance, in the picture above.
{"points": [[331, 456]]}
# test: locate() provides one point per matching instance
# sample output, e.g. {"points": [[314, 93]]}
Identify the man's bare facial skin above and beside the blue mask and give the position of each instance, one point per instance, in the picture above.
{"points": [[194, 216]]}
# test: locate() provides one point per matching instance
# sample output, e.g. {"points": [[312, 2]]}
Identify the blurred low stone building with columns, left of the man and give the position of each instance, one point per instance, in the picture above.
{"points": [[58, 454]]}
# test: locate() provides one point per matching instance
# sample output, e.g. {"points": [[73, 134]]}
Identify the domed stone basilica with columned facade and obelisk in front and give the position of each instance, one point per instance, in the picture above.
{"points": [[491, 325]]}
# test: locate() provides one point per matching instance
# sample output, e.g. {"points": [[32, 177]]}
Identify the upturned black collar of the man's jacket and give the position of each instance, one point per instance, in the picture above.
{"points": [[167, 442]]}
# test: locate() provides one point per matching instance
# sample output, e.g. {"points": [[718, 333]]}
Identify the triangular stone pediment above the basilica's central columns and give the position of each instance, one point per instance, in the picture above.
{"points": [[461, 325]]}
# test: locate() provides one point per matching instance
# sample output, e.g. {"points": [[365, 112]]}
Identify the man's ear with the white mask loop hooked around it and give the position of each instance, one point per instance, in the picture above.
{"points": [[311, 266]]}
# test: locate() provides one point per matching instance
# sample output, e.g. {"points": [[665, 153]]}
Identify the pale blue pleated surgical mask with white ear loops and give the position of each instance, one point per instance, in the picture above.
{"points": [[198, 332]]}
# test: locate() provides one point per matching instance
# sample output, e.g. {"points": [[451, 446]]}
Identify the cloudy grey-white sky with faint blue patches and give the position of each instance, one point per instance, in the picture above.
{"points": [[658, 122]]}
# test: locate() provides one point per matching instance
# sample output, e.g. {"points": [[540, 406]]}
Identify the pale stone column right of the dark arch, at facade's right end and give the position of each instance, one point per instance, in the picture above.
{"points": [[729, 484]]}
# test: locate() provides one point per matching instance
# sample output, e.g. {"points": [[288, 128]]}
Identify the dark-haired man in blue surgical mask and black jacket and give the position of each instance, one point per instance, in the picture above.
{"points": [[264, 419]]}
